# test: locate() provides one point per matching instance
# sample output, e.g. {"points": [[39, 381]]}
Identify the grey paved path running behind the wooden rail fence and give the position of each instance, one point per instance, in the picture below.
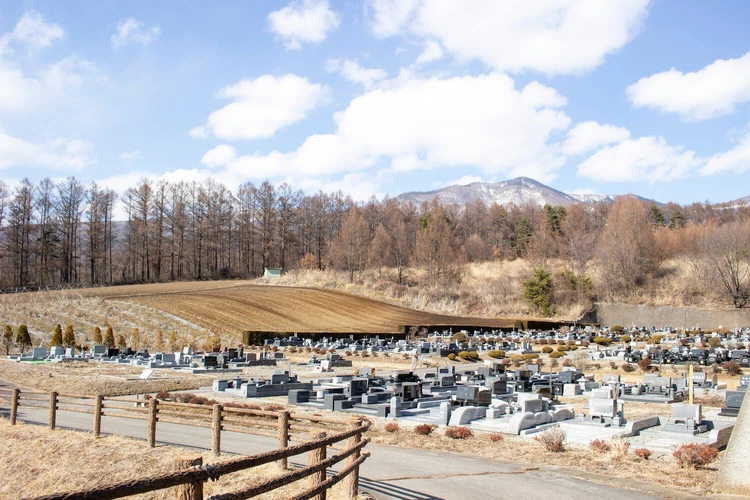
{"points": [[398, 473]]}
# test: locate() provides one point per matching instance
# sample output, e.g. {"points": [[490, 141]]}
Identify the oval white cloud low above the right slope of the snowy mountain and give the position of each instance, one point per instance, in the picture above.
{"points": [[646, 159]]}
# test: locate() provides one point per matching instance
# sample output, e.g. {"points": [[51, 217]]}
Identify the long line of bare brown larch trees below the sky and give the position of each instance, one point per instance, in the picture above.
{"points": [[66, 234]]}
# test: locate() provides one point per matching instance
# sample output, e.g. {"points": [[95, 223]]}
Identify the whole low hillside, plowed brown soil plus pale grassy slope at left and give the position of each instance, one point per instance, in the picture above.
{"points": [[226, 307]]}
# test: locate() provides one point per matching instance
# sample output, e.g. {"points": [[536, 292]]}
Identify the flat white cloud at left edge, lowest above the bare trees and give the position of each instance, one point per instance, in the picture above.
{"points": [[60, 154]]}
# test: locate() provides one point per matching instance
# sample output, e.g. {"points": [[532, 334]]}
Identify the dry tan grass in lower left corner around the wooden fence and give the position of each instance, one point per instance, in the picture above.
{"points": [[35, 461]]}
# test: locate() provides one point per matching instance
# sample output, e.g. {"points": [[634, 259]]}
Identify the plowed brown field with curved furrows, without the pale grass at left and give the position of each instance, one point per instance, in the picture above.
{"points": [[233, 307]]}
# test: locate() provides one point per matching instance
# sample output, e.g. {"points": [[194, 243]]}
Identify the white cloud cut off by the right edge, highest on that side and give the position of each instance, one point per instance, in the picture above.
{"points": [[713, 91]]}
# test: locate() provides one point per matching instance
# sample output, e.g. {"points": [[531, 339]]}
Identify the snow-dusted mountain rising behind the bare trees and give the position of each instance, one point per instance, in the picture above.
{"points": [[518, 191]]}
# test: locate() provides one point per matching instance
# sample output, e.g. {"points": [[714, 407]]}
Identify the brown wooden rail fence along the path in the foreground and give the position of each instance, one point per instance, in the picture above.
{"points": [[190, 473]]}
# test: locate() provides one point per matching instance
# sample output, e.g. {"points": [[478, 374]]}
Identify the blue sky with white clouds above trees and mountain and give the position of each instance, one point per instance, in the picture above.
{"points": [[381, 97]]}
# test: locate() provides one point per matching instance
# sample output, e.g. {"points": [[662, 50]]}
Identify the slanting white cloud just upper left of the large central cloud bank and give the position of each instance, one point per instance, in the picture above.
{"points": [[262, 106]]}
